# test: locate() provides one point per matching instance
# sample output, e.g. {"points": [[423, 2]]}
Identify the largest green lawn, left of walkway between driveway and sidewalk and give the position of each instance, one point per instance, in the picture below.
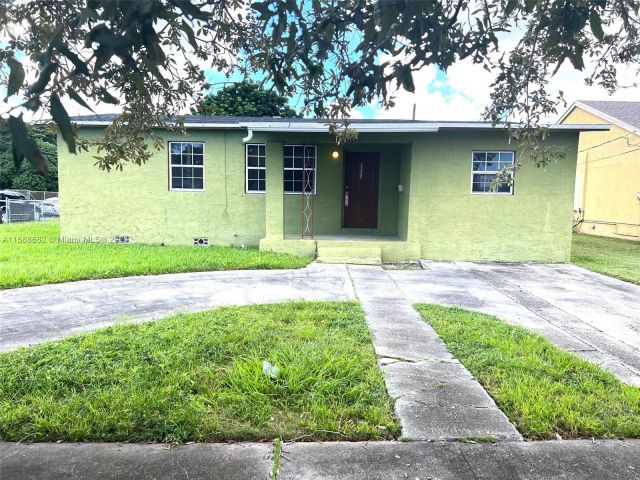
{"points": [[200, 377]]}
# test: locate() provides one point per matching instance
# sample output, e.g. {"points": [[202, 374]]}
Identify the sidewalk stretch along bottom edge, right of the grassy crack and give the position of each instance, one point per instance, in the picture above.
{"points": [[579, 460]]}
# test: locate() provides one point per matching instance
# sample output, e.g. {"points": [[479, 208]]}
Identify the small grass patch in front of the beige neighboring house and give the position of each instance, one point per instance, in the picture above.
{"points": [[609, 256]]}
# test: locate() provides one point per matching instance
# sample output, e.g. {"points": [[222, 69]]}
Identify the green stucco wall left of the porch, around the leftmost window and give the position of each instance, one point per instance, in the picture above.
{"points": [[137, 201]]}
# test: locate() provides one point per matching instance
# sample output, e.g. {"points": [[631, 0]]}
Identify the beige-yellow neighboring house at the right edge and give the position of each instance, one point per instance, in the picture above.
{"points": [[607, 193]]}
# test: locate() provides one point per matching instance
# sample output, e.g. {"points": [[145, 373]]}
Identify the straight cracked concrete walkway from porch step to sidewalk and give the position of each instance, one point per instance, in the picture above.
{"points": [[436, 398]]}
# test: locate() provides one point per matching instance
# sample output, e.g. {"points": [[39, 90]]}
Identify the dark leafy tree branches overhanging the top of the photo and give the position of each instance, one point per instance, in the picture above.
{"points": [[148, 55]]}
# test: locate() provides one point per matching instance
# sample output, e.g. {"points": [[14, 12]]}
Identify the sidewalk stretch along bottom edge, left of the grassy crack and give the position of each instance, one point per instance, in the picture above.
{"points": [[112, 461]]}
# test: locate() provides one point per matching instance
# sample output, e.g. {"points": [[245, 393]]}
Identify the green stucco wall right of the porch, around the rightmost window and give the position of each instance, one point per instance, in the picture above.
{"points": [[451, 223]]}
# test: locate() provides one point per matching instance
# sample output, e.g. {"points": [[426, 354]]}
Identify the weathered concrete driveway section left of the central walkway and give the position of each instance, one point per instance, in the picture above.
{"points": [[36, 314]]}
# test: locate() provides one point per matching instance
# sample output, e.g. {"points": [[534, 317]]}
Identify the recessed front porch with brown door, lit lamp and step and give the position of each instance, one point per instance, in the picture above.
{"points": [[351, 204]]}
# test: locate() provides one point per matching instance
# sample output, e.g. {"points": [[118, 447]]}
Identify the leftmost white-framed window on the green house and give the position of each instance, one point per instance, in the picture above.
{"points": [[186, 166]]}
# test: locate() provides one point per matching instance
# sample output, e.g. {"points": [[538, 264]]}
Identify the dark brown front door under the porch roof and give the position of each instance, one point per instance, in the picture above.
{"points": [[361, 177]]}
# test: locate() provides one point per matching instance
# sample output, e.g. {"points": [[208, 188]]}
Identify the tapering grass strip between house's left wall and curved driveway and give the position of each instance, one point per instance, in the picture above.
{"points": [[30, 254]]}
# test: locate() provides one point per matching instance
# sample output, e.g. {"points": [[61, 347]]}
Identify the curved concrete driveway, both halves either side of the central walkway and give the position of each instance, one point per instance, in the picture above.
{"points": [[595, 316]]}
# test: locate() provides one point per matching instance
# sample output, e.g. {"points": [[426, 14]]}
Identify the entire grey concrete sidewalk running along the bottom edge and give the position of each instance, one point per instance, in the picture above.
{"points": [[580, 460]]}
